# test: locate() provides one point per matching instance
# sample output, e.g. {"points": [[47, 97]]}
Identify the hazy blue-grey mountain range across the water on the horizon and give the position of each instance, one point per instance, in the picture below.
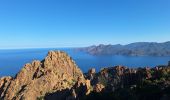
{"points": [[133, 49]]}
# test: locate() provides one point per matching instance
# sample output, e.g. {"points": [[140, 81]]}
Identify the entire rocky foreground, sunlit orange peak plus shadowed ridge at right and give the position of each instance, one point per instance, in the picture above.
{"points": [[58, 78]]}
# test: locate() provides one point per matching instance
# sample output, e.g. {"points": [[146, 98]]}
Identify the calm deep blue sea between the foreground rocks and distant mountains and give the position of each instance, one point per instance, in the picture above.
{"points": [[11, 61]]}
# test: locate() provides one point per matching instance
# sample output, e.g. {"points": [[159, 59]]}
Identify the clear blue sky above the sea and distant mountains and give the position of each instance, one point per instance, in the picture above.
{"points": [[79, 23]]}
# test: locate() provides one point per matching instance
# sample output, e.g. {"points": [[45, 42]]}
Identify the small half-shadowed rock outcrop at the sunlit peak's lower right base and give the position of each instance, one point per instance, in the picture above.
{"points": [[79, 91]]}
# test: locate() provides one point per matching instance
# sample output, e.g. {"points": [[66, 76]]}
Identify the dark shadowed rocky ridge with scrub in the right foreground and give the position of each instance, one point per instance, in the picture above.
{"points": [[122, 83]]}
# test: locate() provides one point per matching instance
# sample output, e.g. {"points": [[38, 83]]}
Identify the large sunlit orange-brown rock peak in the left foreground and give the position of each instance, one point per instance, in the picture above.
{"points": [[56, 72]]}
